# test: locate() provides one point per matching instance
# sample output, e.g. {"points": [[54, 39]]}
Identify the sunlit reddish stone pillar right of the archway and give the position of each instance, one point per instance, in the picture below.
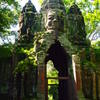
{"points": [[77, 71]]}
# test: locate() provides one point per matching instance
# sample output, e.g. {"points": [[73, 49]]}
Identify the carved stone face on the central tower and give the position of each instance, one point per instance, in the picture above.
{"points": [[52, 21]]}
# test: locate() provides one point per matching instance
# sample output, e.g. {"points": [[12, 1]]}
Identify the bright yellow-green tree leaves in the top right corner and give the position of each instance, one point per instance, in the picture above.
{"points": [[91, 13]]}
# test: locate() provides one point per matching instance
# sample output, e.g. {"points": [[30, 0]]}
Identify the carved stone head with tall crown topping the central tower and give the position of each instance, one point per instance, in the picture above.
{"points": [[54, 15]]}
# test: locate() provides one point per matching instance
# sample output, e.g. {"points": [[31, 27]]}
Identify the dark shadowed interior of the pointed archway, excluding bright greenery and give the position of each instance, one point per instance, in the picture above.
{"points": [[60, 59]]}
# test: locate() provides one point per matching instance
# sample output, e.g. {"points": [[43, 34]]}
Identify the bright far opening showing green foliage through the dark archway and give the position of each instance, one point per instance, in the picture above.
{"points": [[52, 81]]}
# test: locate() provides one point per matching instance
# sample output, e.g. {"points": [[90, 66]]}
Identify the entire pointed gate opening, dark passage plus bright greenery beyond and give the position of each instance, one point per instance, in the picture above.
{"points": [[57, 83]]}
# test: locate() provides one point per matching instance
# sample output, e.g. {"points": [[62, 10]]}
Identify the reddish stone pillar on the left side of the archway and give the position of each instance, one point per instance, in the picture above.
{"points": [[41, 83]]}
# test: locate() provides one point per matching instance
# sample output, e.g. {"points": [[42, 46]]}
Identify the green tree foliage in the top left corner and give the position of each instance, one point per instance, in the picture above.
{"points": [[9, 12]]}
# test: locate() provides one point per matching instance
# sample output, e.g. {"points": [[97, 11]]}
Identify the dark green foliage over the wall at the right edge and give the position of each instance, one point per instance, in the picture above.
{"points": [[92, 53]]}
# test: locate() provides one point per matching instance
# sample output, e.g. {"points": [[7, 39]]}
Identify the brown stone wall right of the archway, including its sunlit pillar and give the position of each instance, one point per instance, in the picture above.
{"points": [[86, 76]]}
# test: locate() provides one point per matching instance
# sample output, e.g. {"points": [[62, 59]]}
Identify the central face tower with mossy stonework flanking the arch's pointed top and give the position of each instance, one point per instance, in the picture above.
{"points": [[54, 21]]}
